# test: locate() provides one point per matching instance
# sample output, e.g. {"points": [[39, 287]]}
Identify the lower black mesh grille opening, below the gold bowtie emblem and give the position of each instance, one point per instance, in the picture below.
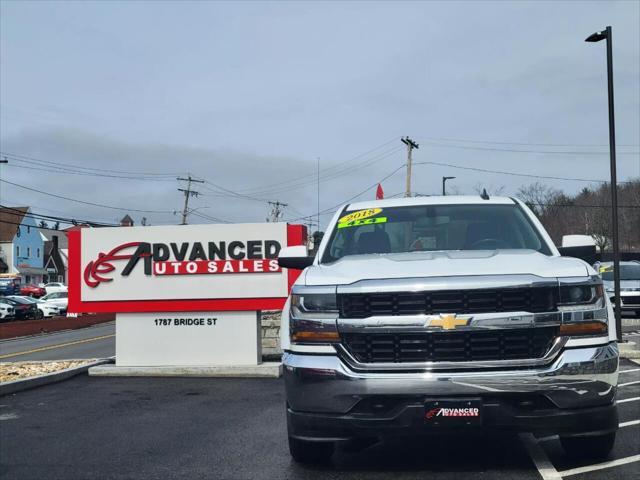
{"points": [[508, 344]]}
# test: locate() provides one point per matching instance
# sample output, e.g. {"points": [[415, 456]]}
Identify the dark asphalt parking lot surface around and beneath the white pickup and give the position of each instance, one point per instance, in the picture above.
{"points": [[162, 428]]}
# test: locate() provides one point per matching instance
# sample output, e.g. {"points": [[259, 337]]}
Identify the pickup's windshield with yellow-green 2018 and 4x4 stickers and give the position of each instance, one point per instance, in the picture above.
{"points": [[432, 227]]}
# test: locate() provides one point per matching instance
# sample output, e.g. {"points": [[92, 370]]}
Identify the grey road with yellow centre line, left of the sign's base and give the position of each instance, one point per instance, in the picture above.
{"points": [[92, 342]]}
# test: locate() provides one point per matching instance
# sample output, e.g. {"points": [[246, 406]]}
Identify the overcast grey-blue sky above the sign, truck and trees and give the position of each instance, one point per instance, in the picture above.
{"points": [[249, 94]]}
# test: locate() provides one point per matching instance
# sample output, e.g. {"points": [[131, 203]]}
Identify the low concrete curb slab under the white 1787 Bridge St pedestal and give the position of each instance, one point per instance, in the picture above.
{"points": [[263, 370]]}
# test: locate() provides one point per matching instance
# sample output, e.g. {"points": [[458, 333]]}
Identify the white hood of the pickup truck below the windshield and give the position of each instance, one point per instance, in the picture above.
{"points": [[444, 264]]}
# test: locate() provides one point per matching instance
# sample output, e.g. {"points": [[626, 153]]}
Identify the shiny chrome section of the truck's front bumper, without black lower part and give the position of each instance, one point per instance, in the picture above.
{"points": [[577, 378]]}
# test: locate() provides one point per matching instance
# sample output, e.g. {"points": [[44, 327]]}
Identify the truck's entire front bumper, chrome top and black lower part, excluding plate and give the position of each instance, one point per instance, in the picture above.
{"points": [[573, 395]]}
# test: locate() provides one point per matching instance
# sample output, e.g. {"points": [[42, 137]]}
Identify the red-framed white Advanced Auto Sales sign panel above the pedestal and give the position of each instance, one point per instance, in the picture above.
{"points": [[180, 268]]}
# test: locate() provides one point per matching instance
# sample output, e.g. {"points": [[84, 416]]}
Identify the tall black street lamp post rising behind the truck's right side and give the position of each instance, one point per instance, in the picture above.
{"points": [[596, 37]]}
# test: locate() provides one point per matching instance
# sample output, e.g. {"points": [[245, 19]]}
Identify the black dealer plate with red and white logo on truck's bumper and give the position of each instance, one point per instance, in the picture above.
{"points": [[453, 412]]}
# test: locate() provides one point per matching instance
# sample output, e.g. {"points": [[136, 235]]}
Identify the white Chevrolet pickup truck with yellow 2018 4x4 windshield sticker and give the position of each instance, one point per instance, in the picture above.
{"points": [[434, 314]]}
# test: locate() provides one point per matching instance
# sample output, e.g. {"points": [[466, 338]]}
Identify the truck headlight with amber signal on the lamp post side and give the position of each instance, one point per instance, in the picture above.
{"points": [[583, 307]]}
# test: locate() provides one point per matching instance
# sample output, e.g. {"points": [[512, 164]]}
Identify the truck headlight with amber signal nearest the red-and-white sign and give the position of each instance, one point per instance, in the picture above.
{"points": [[314, 311]]}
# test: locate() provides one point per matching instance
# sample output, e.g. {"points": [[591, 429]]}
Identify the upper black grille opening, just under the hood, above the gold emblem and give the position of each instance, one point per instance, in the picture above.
{"points": [[363, 305]]}
